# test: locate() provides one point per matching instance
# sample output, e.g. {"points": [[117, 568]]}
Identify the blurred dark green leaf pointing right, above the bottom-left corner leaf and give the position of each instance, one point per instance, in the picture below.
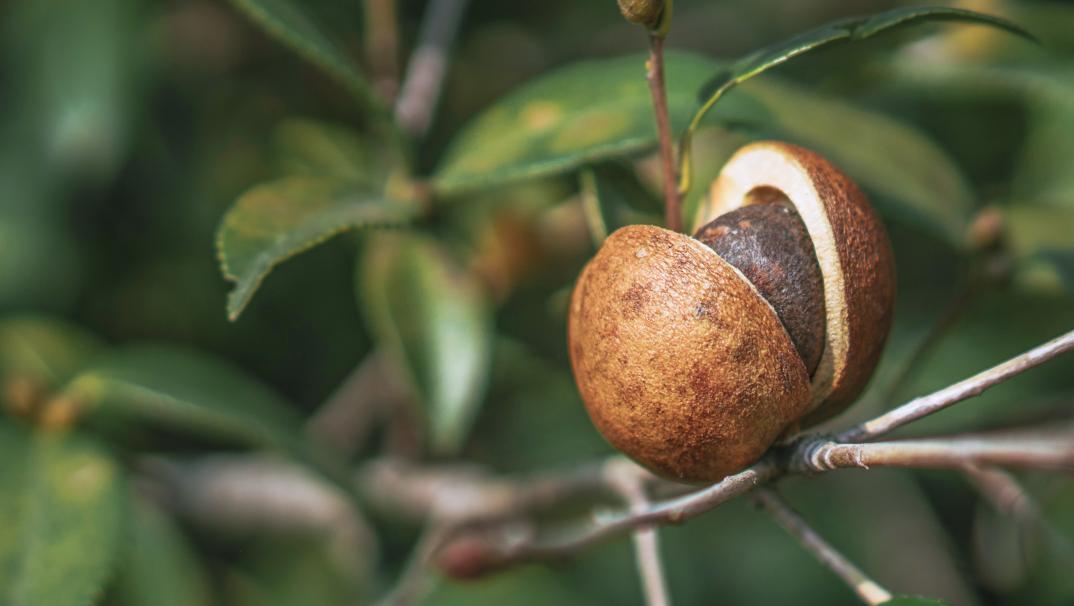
{"points": [[168, 387]]}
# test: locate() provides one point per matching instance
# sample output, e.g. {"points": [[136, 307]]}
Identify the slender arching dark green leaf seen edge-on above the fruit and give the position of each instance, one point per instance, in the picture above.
{"points": [[850, 30]]}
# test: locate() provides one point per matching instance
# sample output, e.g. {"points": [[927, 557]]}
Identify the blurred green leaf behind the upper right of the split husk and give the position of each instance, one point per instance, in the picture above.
{"points": [[891, 160]]}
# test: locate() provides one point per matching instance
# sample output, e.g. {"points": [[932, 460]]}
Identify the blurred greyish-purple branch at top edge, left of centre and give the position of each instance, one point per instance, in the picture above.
{"points": [[428, 66]]}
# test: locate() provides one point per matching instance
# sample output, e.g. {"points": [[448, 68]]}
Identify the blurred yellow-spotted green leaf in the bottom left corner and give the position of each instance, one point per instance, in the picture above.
{"points": [[62, 502]]}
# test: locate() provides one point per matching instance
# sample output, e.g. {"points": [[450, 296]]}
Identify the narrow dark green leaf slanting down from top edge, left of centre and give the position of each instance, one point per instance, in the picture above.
{"points": [[289, 23]]}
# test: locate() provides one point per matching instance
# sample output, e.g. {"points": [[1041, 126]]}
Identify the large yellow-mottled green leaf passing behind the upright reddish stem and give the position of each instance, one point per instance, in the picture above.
{"points": [[582, 114]]}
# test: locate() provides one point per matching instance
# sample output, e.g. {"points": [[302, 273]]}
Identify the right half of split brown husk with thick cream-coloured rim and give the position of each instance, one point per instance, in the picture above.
{"points": [[852, 249]]}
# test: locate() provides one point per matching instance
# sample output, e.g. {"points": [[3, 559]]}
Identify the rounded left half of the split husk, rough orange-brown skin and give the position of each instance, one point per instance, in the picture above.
{"points": [[681, 363]]}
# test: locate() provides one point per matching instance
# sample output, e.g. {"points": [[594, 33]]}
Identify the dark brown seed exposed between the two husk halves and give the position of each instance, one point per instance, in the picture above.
{"points": [[770, 244]]}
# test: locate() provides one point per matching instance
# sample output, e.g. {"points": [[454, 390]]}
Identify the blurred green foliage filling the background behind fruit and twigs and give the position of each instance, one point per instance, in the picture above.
{"points": [[141, 141]]}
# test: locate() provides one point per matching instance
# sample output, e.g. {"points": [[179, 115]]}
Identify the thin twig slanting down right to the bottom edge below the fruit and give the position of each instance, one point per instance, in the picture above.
{"points": [[868, 590]]}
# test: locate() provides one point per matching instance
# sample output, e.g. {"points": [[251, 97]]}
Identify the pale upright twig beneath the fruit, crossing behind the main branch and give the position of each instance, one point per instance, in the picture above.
{"points": [[625, 475]]}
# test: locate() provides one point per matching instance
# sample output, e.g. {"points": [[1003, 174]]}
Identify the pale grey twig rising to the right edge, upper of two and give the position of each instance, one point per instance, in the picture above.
{"points": [[968, 388]]}
